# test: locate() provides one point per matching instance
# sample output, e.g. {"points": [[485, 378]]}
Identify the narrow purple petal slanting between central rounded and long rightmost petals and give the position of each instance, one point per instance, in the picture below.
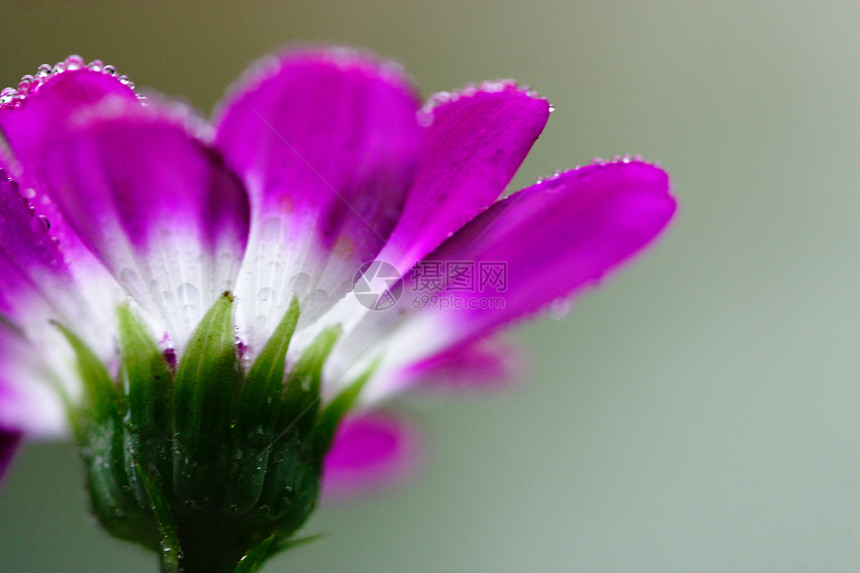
{"points": [[472, 149]]}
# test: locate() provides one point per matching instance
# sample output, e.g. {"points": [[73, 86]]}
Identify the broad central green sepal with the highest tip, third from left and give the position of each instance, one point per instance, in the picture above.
{"points": [[207, 380]]}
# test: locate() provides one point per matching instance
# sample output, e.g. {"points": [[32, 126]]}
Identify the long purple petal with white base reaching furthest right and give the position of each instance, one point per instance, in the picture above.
{"points": [[543, 243]]}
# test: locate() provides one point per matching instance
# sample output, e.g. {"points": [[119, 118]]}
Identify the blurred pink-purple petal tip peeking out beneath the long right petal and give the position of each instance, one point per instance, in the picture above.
{"points": [[478, 366]]}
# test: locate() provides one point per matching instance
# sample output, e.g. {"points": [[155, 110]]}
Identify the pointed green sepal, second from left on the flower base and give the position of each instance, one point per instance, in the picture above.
{"points": [[149, 388]]}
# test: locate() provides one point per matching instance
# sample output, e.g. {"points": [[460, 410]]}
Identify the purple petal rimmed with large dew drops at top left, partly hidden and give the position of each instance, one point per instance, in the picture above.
{"points": [[30, 124]]}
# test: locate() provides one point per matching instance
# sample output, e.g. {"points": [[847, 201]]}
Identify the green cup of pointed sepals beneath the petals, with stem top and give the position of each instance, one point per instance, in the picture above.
{"points": [[213, 467]]}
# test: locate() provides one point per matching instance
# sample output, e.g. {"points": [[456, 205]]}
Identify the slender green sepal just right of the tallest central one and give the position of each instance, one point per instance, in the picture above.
{"points": [[257, 416]]}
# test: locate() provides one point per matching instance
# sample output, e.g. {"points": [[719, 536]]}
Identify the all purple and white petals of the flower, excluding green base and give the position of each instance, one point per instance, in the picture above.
{"points": [[317, 163]]}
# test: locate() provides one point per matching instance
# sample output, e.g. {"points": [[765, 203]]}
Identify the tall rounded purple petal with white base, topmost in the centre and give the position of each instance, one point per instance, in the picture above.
{"points": [[326, 143]]}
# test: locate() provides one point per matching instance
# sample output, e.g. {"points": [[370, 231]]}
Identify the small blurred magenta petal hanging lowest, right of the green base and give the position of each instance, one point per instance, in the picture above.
{"points": [[369, 452]]}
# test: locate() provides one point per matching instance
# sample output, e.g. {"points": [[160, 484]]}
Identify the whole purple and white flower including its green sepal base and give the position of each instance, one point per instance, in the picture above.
{"points": [[164, 280]]}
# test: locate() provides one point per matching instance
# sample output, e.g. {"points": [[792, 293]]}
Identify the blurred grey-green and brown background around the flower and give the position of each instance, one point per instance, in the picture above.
{"points": [[716, 379]]}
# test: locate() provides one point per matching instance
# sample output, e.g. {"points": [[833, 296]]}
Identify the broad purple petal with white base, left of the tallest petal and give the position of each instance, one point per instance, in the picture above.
{"points": [[157, 207]]}
